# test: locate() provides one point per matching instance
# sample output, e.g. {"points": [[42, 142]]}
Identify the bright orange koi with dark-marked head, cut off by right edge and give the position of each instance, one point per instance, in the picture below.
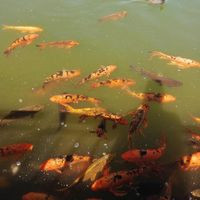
{"points": [[190, 162]]}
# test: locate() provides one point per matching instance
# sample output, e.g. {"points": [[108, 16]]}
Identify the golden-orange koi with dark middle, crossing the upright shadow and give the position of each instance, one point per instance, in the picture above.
{"points": [[151, 96]]}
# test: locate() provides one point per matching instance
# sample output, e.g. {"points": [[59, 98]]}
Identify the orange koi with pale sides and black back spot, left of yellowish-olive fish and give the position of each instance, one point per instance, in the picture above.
{"points": [[57, 164]]}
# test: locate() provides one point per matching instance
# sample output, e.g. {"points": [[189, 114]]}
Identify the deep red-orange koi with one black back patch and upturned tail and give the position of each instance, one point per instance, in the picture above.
{"points": [[144, 155]]}
